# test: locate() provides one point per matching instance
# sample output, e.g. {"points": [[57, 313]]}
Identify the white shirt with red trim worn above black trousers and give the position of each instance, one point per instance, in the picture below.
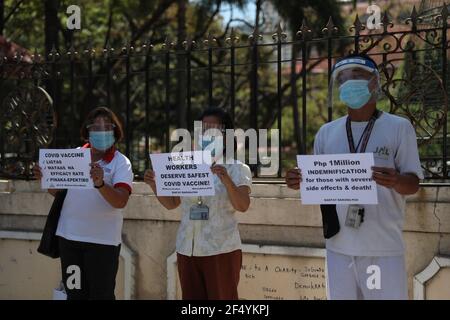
{"points": [[86, 216]]}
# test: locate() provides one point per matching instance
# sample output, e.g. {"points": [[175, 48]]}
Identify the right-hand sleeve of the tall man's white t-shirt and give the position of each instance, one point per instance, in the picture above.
{"points": [[406, 157]]}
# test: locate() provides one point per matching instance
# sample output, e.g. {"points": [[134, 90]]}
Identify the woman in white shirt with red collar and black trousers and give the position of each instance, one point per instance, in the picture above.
{"points": [[90, 224]]}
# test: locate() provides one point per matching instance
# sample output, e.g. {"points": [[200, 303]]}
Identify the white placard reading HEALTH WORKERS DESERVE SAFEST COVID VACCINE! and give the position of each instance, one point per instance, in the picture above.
{"points": [[184, 174]]}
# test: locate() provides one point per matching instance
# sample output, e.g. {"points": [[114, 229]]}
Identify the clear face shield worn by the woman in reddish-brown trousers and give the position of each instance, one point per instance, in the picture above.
{"points": [[211, 138]]}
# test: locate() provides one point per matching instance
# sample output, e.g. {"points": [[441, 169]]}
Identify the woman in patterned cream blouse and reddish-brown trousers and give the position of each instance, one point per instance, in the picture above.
{"points": [[209, 255]]}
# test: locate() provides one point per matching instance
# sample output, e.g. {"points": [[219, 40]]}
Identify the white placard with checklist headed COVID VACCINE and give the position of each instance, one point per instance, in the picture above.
{"points": [[65, 168]]}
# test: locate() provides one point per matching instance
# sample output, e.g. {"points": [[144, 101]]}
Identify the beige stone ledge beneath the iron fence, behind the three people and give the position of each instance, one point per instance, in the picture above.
{"points": [[420, 216]]}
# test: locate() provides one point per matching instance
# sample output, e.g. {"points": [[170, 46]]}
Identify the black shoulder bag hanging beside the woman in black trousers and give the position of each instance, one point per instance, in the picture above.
{"points": [[49, 242]]}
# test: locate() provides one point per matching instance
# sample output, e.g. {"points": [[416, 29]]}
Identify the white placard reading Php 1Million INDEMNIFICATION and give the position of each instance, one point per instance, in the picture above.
{"points": [[337, 179]]}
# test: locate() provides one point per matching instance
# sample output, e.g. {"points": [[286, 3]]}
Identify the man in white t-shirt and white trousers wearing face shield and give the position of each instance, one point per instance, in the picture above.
{"points": [[365, 260]]}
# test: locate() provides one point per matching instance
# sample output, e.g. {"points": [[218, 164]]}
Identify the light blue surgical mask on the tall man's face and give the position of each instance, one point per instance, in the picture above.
{"points": [[355, 93]]}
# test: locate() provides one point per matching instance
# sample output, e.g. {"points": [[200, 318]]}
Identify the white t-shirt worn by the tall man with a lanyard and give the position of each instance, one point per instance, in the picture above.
{"points": [[394, 145]]}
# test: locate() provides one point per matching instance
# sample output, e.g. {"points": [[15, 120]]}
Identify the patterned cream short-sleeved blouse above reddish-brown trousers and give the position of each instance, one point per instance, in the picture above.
{"points": [[219, 234]]}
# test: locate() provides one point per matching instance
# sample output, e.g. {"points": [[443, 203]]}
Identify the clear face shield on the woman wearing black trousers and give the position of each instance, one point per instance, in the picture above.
{"points": [[101, 133]]}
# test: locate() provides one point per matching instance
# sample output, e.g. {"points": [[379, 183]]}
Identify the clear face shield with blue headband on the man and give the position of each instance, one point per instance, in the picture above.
{"points": [[353, 86]]}
